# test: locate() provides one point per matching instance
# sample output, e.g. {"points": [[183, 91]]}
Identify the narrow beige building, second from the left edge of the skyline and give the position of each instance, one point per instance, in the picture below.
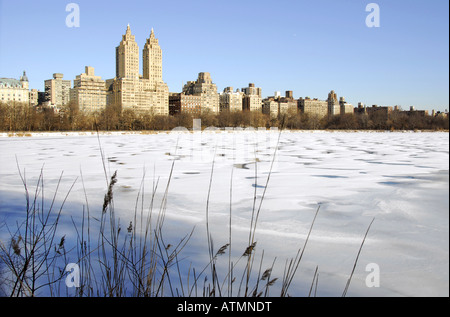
{"points": [[57, 91]]}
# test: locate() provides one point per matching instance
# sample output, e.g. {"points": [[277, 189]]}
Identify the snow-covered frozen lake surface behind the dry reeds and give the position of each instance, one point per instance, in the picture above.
{"points": [[400, 179]]}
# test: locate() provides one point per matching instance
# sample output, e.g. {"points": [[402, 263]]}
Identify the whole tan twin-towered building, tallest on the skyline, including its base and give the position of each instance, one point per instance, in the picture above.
{"points": [[129, 89]]}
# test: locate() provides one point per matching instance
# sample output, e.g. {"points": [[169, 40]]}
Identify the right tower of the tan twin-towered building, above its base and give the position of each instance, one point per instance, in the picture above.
{"points": [[152, 59]]}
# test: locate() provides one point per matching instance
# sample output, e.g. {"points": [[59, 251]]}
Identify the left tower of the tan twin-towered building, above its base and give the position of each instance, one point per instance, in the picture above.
{"points": [[127, 57]]}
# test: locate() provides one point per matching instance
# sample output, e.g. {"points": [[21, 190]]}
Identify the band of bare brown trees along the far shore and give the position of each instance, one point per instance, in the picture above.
{"points": [[21, 117]]}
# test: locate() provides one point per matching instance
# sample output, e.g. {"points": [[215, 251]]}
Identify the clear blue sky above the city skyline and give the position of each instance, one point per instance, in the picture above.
{"points": [[309, 47]]}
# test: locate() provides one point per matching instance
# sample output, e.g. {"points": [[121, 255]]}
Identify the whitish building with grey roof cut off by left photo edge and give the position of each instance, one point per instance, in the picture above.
{"points": [[14, 90]]}
